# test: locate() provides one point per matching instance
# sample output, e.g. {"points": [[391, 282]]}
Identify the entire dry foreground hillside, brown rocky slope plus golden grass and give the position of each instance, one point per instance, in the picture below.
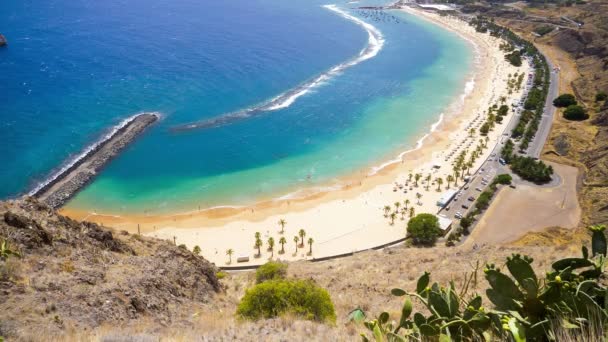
{"points": [[78, 281]]}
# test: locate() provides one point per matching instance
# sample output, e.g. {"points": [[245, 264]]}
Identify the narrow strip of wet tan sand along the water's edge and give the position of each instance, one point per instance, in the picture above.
{"points": [[362, 179]]}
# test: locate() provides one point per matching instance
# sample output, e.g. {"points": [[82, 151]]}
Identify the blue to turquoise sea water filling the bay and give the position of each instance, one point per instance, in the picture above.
{"points": [[76, 68]]}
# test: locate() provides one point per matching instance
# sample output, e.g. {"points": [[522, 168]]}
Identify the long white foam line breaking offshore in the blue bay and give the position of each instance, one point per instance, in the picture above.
{"points": [[374, 45]]}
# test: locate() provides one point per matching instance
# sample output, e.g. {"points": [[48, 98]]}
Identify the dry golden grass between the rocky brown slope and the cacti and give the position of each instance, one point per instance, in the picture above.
{"points": [[363, 280]]}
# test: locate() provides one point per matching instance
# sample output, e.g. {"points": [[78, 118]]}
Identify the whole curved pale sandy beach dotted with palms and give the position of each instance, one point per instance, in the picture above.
{"points": [[351, 218]]}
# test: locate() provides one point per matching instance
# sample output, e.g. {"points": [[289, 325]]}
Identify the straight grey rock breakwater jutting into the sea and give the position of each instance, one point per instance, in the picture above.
{"points": [[63, 186]]}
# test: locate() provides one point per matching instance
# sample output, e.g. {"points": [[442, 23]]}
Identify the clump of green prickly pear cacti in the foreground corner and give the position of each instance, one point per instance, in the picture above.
{"points": [[526, 307]]}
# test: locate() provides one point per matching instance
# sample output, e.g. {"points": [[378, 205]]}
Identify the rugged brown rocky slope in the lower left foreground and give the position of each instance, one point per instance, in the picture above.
{"points": [[66, 275]]}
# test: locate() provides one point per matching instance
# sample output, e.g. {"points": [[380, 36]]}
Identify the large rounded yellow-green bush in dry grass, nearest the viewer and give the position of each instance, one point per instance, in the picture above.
{"points": [[274, 298]]}
